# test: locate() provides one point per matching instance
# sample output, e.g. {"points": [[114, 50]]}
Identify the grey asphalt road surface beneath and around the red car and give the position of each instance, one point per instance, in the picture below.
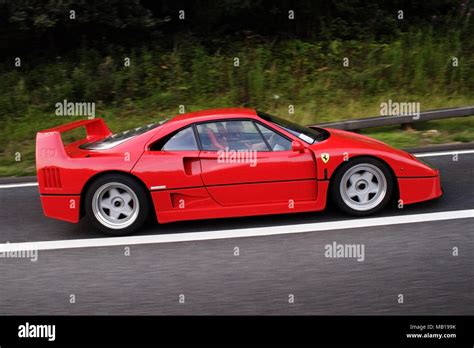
{"points": [[414, 260]]}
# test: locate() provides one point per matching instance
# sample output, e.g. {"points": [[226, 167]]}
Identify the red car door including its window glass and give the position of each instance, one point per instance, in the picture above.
{"points": [[239, 167]]}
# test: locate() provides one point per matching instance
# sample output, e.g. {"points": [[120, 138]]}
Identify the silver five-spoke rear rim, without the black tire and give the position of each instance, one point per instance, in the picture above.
{"points": [[115, 205]]}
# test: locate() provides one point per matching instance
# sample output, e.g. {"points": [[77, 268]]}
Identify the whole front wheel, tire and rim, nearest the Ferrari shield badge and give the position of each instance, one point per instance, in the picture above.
{"points": [[362, 186]]}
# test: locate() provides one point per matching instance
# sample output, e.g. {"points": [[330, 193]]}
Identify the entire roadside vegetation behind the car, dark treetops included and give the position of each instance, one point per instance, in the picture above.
{"points": [[231, 54]]}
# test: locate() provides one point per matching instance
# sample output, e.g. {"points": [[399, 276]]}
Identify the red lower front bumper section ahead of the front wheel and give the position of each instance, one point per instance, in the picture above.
{"points": [[413, 190]]}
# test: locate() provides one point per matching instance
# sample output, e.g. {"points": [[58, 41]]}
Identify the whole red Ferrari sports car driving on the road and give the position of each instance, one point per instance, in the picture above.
{"points": [[220, 163]]}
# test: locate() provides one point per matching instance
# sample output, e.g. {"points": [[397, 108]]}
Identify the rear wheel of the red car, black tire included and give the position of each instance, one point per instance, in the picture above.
{"points": [[97, 214]]}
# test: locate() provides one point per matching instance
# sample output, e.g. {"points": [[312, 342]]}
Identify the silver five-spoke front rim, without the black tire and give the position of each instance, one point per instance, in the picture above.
{"points": [[363, 187]]}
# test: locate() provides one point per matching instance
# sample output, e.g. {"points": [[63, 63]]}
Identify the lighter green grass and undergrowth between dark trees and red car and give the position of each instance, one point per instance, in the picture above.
{"points": [[415, 66]]}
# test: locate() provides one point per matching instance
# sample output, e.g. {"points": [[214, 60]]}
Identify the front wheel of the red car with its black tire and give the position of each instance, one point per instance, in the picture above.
{"points": [[347, 204]]}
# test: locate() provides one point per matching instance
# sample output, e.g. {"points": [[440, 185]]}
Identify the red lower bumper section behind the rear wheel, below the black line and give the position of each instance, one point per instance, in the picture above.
{"points": [[61, 207]]}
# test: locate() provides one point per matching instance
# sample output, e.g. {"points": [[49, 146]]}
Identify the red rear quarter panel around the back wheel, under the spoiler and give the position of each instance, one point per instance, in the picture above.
{"points": [[64, 171]]}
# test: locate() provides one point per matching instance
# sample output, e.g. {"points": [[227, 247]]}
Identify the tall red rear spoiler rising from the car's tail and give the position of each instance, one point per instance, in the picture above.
{"points": [[50, 145]]}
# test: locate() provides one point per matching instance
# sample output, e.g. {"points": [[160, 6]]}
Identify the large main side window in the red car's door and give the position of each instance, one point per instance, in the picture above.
{"points": [[238, 135]]}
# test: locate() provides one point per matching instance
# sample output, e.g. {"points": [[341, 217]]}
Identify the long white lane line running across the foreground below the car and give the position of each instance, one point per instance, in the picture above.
{"points": [[237, 233]]}
